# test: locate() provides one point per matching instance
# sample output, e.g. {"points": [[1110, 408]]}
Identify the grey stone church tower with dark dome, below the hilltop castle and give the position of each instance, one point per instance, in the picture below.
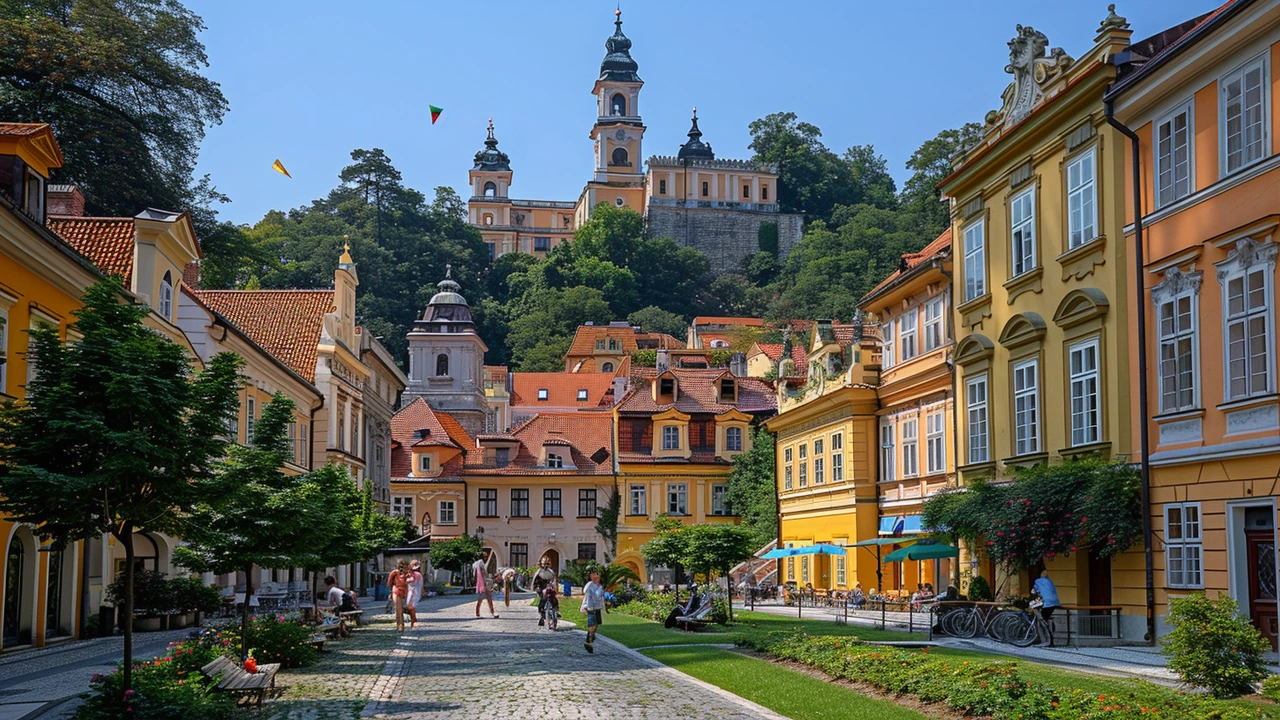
{"points": [[446, 359]]}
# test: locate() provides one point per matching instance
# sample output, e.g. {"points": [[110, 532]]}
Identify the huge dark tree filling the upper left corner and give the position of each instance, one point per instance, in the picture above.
{"points": [[122, 85]]}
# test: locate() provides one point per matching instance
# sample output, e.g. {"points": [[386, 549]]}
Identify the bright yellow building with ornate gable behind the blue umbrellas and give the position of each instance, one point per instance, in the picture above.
{"points": [[826, 462]]}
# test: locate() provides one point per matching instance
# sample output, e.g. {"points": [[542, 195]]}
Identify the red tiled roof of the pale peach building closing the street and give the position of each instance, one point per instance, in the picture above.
{"points": [[588, 436]]}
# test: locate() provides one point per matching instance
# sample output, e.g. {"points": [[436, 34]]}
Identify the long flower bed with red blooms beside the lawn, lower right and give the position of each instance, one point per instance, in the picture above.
{"points": [[994, 689]]}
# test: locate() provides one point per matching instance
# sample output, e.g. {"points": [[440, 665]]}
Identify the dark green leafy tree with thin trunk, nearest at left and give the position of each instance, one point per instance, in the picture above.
{"points": [[117, 434]]}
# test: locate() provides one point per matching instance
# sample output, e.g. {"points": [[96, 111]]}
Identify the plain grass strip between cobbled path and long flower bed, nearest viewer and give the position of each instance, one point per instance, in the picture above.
{"points": [[779, 689]]}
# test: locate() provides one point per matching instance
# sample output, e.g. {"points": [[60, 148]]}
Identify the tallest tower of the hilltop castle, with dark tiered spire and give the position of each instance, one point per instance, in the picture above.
{"points": [[618, 134]]}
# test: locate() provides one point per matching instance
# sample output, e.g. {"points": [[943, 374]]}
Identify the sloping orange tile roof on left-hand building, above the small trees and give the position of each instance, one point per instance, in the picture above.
{"points": [[286, 323]]}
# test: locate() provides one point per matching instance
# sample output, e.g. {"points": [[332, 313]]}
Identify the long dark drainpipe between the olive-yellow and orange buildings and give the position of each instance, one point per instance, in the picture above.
{"points": [[1145, 427]]}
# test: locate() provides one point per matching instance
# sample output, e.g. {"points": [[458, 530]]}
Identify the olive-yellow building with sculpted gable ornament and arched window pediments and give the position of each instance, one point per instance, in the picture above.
{"points": [[1041, 290]]}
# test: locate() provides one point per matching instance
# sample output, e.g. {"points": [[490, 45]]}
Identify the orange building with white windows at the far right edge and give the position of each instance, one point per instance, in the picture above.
{"points": [[1204, 106]]}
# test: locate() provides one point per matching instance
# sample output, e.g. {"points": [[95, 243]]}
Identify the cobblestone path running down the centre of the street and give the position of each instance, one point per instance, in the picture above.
{"points": [[458, 667]]}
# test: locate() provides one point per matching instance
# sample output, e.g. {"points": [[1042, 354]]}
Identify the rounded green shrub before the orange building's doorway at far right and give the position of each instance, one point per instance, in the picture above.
{"points": [[1214, 648]]}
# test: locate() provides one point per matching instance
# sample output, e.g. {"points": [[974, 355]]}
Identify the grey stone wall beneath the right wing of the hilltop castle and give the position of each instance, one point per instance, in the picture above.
{"points": [[725, 236]]}
